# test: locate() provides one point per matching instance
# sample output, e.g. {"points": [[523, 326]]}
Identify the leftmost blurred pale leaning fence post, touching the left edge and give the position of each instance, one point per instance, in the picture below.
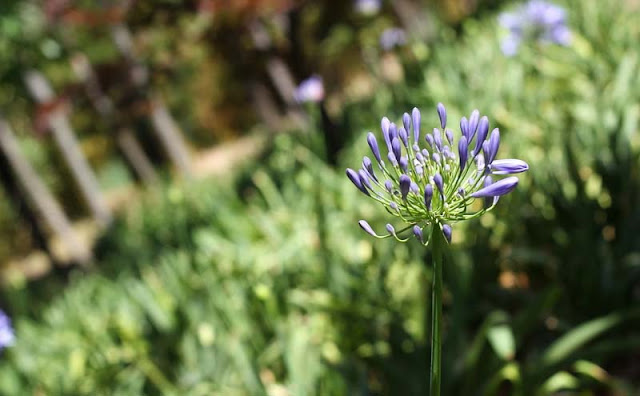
{"points": [[41, 198]]}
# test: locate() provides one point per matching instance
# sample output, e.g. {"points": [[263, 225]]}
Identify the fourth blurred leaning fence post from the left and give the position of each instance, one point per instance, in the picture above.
{"points": [[165, 127]]}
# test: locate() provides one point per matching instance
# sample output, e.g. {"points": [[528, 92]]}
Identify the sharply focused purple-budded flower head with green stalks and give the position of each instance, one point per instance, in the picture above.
{"points": [[436, 185]]}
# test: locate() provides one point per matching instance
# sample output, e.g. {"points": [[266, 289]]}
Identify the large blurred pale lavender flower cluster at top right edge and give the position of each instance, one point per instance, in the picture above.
{"points": [[535, 20]]}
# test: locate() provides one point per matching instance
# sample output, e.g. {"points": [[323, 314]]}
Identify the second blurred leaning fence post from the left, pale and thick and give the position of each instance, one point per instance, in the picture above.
{"points": [[66, 141]]}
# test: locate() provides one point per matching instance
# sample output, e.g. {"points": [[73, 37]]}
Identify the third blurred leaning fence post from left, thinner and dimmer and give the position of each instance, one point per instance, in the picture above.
{"points": [[125, 138]]}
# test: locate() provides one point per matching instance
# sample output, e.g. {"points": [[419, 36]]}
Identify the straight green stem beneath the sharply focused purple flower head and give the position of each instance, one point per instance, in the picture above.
{"points": [[438, 244]]}
